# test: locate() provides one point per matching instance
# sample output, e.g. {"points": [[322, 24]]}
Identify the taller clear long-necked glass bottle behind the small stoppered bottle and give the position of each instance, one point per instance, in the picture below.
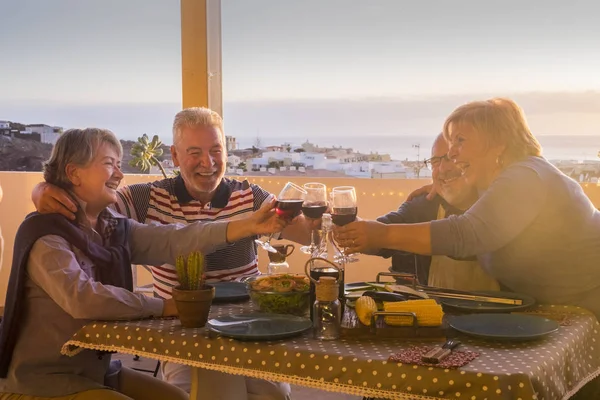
{"points": [[327, 249]]}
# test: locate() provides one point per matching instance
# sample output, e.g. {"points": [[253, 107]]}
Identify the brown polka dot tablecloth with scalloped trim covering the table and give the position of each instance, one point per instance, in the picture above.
{"points": [[552, 368]]}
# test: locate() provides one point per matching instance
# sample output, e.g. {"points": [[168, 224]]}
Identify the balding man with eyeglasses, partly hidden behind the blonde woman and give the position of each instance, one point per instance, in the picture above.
{"points": [[455, 196]]}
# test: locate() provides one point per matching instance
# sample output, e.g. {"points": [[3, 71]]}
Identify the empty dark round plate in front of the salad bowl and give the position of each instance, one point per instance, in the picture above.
{"points": [[259, 326]]}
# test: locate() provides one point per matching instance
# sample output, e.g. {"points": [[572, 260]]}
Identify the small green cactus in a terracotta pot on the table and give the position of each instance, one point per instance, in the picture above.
{"points": [[193, 296]]}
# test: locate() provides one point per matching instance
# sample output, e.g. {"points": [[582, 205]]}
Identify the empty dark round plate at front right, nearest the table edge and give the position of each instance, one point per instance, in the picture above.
{"points": [[503, 326]]}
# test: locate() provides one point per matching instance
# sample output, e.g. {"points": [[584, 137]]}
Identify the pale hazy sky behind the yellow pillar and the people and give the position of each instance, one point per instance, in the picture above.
{"points": [[310, 67]]}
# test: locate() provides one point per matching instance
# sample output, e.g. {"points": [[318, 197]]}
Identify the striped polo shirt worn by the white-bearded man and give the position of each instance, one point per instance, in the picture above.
{"points": [[167, 201]]}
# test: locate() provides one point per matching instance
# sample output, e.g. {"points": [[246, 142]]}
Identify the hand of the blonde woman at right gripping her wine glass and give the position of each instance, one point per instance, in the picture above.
{"points": [[361, 236]]}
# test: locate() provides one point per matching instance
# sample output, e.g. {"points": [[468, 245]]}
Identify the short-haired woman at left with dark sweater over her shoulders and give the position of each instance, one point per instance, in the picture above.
{"points": [[65, 273]]}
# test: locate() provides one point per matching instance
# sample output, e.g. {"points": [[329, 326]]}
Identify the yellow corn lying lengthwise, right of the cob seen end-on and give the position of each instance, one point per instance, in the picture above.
{"points": [[428, 312]]}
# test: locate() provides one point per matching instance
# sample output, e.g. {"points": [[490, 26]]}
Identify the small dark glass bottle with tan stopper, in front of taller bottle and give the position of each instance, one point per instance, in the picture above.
{"points": [[327, 310]]}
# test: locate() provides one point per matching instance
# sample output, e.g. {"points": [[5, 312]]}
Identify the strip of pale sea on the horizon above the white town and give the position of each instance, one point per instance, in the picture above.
{"points": [[413, 147]]}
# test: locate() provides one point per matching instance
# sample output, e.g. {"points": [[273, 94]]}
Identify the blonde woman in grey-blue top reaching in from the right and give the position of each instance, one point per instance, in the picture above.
{"points": [[533, 228]]}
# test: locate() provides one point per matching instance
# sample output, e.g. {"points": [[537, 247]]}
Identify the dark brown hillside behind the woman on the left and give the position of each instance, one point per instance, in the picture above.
{"points": [[28, 155]]}
